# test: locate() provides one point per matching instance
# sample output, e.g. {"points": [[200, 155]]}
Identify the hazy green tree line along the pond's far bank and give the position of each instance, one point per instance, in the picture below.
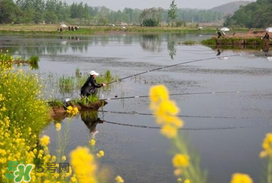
{"points": [[56, 11]]}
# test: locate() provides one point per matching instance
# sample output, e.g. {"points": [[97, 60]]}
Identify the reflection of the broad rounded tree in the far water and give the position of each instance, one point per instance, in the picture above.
{"points": [[151, 42]]}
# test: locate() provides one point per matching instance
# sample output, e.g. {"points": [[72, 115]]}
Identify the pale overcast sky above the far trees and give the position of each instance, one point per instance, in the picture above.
{"points": [[141, 4]]}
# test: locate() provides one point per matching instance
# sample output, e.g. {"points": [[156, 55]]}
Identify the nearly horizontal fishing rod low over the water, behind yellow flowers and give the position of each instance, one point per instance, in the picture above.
{"points": [[177, 94]]}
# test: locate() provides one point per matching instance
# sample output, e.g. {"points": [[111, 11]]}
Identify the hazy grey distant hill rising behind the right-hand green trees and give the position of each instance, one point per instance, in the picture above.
{"points": [[230, 8]]}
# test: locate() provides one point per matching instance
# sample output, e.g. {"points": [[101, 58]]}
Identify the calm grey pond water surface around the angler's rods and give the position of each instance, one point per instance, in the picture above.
{"points": [[225, 129]]}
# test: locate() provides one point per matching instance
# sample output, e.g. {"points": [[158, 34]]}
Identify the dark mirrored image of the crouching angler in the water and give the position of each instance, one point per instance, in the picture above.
{"points": [[91, 120]]}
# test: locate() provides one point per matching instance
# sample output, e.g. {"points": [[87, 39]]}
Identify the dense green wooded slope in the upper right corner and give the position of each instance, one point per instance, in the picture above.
{"points": [[256, 14]]}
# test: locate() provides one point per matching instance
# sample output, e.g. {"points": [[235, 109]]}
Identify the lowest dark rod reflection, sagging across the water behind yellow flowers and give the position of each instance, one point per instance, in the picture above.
{"points": [[182, 129]]}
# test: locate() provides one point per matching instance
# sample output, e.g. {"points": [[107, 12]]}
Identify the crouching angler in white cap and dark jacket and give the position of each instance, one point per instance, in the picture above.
{"points": [[90, 86]]}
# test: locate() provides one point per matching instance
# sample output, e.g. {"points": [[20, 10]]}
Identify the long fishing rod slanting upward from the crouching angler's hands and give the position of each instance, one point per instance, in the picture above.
{"points": [[168, 66]]}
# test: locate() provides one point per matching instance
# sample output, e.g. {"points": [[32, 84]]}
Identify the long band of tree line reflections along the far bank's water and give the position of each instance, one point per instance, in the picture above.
{"points": [[53, 45]]}
